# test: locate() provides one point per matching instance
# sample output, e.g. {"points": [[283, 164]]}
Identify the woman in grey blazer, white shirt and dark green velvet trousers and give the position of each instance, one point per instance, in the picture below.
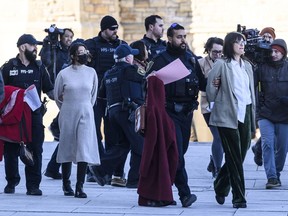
{"points": [[230, 87]]}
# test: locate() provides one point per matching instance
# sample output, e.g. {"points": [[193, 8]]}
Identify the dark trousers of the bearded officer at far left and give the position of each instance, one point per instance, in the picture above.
{"points": [[11, 152]]}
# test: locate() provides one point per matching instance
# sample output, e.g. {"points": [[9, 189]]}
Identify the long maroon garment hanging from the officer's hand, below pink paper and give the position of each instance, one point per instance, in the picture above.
{"points": [[160, 155]]}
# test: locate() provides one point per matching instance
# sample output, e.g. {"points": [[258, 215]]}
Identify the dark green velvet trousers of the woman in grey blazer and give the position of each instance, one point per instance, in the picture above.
{"points": [[235, 143]]}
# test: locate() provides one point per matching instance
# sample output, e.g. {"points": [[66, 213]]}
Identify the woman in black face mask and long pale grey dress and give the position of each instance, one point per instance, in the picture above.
{"points": [[75, 94]]}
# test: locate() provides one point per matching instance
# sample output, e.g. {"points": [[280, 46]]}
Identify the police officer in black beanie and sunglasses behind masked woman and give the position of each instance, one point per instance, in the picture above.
{"points": [[102, 49]]}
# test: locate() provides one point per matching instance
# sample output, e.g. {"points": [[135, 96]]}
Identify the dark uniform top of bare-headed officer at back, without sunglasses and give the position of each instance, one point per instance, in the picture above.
{"points": [[153, 47]]}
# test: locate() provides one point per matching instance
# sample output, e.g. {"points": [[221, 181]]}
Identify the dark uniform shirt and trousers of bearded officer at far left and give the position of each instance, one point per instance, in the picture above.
{"points": [[16, 74]]}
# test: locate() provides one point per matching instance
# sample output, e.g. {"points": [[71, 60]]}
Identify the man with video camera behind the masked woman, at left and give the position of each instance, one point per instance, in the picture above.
{"points": [[55, 55]]}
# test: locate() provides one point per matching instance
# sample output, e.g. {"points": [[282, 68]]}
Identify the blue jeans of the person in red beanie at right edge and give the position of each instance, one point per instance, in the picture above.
{"points": [[274, 137]]}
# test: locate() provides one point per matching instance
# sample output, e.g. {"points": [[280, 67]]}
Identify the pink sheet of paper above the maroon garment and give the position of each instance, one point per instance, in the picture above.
{"points": [[172, 72]]}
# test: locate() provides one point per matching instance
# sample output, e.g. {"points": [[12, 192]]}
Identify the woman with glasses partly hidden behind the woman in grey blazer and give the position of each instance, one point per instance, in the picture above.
{"points": [[213, 48]]}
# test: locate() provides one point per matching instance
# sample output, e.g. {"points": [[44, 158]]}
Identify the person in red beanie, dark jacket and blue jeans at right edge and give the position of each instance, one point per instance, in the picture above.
{"points": [[272, 113]]}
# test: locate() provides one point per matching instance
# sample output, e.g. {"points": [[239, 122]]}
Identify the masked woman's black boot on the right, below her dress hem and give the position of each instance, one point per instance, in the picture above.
{"points": [[81, 172]]}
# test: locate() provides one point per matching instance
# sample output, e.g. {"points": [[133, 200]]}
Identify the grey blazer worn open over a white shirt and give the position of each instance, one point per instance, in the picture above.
{"points": [[224, 112]]}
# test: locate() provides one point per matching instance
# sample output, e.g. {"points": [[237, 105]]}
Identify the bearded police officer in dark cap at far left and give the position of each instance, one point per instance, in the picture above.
{"points": [[23, 71]]}
